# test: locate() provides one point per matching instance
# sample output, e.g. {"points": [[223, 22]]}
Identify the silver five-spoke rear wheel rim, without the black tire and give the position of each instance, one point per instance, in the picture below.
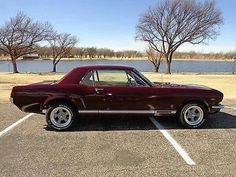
{"points": [[60, 117]]}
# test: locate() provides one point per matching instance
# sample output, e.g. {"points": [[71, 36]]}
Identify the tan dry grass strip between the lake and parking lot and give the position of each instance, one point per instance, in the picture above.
{"points": [[224, 83]]}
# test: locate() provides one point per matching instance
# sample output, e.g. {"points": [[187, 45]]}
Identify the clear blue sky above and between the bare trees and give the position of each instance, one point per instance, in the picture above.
{"points": [[111, 23]]}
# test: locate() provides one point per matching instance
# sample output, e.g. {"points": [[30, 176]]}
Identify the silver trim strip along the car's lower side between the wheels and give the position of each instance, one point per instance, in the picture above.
{"points": [[154, 112]]}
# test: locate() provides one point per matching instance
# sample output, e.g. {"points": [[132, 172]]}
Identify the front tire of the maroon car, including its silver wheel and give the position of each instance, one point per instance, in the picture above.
{"points": [[192, 115]]}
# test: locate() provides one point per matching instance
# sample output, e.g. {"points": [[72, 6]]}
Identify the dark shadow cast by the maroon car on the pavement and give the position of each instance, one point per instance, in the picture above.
{"points": [[220, 120]]}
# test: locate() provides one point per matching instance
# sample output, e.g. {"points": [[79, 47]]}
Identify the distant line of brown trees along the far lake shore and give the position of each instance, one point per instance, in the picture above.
{"points": [[45, 52]]}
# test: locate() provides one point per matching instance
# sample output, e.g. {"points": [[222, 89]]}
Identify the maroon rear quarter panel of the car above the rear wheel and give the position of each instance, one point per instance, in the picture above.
{"points": [[33, 98]]}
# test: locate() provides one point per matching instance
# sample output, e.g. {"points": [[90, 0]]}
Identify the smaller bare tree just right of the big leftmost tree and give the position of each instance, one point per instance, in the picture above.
{"points": [[61, 45]]}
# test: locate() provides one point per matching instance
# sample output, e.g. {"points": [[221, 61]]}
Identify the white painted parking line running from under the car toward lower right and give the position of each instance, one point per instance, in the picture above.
{"points": [[173, 142]]}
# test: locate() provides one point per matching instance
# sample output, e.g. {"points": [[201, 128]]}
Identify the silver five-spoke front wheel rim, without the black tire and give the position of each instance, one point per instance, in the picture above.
{"points": [[193, 115]]}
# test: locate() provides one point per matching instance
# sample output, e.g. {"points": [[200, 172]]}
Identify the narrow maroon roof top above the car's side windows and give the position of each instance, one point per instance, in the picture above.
{"points": [[95, 67]]}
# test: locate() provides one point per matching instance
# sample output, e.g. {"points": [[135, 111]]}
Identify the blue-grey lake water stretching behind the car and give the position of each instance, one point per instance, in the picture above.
{"points": [[197, 66]]}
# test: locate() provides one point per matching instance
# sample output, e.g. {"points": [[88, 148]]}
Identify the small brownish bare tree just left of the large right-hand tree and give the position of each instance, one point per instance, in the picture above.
{"points": [[154, 57]]}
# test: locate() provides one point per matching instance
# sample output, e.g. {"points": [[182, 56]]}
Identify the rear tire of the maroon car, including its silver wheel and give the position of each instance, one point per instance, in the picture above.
{"points": [[61, 116]]}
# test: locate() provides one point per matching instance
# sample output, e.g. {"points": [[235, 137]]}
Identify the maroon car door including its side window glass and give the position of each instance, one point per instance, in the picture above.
{"points": [[120, 91]]}
